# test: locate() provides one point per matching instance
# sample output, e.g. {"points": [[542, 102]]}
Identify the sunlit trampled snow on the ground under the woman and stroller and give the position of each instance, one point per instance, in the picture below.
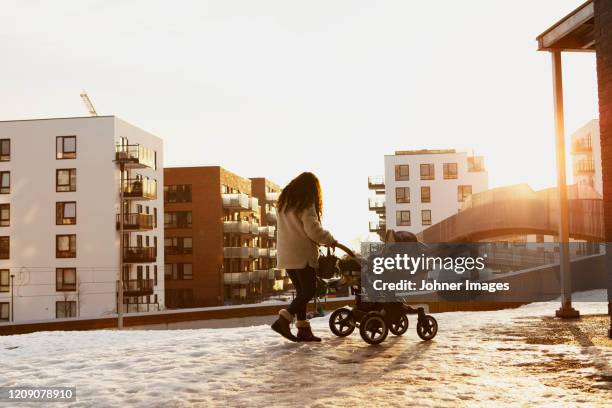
{"points": [[474, 360]]}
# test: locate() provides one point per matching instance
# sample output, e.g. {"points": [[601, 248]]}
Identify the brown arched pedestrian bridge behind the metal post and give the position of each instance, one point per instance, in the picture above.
{"points": [[518, 209]]}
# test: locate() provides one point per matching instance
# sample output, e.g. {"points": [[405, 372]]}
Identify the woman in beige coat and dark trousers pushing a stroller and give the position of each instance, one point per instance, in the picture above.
{"points": [[299, 232]]}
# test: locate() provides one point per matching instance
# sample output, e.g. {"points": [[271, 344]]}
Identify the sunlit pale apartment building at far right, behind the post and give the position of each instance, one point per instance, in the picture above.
{"points": [[586, 156]]}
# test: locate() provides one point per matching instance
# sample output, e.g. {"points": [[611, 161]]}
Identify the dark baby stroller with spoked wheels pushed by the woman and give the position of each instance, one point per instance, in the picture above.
{"points": [[374, 319]]}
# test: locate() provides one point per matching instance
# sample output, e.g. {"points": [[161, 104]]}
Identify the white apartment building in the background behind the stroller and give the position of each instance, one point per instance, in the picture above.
{"points": [[423, 187]]}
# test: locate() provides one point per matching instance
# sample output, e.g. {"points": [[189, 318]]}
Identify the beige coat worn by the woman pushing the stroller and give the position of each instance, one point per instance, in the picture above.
{"points": [[298, 237]]}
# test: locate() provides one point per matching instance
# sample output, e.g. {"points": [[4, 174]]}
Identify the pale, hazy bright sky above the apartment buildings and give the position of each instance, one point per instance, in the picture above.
{"points": [[274, 88]]}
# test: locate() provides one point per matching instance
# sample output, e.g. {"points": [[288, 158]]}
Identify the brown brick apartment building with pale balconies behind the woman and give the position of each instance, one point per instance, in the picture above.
{"points": [[220, 237]]}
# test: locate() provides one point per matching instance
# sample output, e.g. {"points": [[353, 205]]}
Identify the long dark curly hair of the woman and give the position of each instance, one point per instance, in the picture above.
{"points": [[302, 192]]}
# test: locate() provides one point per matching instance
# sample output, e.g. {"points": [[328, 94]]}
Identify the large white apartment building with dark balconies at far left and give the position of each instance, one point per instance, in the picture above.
{"points": [[59, 223]]}
